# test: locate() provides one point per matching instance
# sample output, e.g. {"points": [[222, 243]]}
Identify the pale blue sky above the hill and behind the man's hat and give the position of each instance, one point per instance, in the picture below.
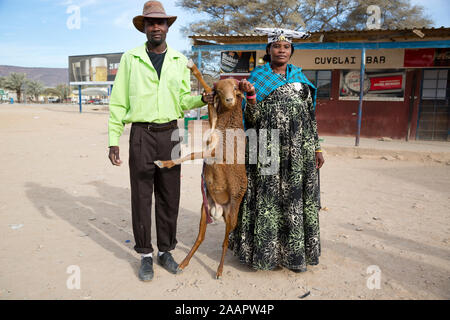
{"points": [[43, 33]]}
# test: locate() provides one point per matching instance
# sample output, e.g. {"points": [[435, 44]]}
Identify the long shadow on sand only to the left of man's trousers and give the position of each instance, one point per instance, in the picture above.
{"points": [[99, 218]]}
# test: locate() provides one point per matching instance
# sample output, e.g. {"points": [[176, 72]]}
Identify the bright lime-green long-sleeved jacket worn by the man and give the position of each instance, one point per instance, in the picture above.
{"points": [[139, 96]]}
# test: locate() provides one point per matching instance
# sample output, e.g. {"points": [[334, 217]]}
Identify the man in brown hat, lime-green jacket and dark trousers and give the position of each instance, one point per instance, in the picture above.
{"points": [[151, 90]]}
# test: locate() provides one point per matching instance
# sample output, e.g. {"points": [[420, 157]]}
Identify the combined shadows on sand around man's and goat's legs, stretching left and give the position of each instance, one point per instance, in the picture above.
{"points": [[106, 219]]}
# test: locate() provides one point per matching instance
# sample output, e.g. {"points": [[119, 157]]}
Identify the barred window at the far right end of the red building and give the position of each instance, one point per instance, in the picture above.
{"points": [[434, 84]]}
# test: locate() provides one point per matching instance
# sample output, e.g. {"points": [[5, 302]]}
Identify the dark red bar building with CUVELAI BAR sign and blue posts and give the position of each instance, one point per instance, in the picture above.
{"points": [[406, 80]]}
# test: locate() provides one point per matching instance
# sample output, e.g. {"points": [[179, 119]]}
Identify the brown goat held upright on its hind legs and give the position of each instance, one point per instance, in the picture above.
{"points": [[226, 182]]}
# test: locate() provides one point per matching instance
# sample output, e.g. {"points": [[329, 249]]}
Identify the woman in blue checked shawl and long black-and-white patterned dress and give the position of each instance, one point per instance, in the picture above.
{"points": [[278, 221]]}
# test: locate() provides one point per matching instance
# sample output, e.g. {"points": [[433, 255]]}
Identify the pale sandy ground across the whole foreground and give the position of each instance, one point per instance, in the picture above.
{"points": [[63, 204]]}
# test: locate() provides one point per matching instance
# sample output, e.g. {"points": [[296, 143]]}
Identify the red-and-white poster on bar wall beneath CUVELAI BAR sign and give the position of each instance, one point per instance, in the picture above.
{"points": [[379, 83]]}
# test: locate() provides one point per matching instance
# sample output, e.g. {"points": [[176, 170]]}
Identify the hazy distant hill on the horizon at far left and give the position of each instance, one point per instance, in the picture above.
{"points": [[50, 77]]}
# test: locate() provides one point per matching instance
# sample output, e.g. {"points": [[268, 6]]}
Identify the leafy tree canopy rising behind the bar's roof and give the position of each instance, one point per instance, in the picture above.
{"points": [[238, 16]]}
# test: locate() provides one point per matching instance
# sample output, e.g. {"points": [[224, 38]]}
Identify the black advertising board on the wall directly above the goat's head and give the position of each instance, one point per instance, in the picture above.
{"points": [[237, 61]]}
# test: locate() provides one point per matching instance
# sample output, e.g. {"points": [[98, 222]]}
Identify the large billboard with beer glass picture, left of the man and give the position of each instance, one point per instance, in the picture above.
{"points": [[91, 69]]}
